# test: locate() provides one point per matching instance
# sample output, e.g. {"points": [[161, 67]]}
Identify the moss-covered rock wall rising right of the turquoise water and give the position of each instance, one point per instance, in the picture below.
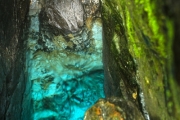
{"points": [[138, 57]]}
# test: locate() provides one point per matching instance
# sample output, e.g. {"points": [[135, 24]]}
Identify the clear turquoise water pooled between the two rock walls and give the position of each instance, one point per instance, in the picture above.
{"points": [[63, 84]]}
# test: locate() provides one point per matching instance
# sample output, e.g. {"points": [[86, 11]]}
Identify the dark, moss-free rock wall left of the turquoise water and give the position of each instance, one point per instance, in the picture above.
{"points": [[12, 76]]}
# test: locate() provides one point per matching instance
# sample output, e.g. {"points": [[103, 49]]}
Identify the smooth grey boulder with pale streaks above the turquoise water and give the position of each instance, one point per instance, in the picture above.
{"points": [[64, 15]]}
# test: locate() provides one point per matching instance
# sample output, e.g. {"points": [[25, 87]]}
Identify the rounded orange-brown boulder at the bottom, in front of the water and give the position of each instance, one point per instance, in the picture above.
{"points": [[113, 109]]}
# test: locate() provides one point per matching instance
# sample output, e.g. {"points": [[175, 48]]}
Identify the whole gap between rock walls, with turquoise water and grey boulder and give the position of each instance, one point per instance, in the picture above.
{"points": [[64, 58]]}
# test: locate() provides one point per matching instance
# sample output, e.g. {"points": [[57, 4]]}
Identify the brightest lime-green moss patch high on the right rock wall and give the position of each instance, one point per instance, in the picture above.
{"points": [[154, 26]]}
